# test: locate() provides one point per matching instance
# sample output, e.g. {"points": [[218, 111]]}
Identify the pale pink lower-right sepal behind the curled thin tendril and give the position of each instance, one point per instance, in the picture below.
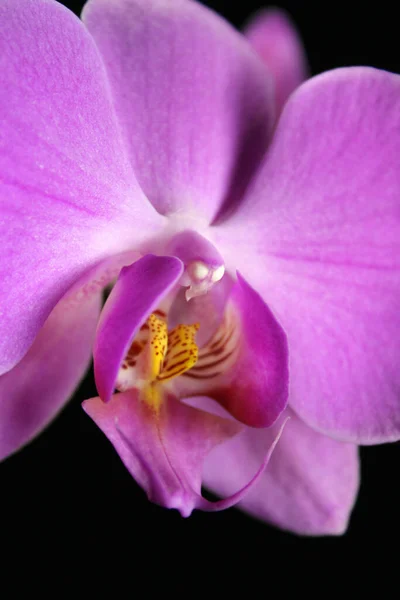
{"points": [[309, 487]]}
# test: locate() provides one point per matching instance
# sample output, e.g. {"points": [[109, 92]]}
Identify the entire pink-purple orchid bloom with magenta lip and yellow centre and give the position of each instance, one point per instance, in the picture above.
{"points": [[246, 227]]}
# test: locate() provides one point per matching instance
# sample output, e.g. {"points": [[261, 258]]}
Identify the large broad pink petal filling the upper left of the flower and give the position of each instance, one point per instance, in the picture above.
{"points": [[68, 194]]}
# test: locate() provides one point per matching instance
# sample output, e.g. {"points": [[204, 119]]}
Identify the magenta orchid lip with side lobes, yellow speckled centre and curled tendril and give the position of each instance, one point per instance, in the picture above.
{"points": [[162, 441]]}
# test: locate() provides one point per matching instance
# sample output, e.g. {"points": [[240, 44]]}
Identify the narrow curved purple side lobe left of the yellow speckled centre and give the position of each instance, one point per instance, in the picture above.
{"points": [[138, 290]]}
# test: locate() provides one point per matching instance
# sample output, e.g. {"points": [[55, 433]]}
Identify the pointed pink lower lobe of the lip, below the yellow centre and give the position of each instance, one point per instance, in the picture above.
{"points": [[165, 455]]}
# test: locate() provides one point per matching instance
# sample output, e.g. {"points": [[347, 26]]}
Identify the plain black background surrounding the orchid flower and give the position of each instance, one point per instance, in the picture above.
{"points": [[72, 511]]}
